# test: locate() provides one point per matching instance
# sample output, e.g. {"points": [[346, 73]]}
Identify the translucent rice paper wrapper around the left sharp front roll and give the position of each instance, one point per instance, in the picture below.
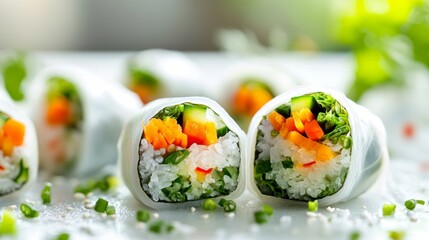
{"points": [[129, 144]]}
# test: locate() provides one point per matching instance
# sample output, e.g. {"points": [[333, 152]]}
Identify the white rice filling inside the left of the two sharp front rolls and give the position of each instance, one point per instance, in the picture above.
{"points": [[156, 176]]}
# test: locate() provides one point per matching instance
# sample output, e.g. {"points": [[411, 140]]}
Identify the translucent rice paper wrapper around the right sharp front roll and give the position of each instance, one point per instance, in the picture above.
{"points": [[369, 153]]}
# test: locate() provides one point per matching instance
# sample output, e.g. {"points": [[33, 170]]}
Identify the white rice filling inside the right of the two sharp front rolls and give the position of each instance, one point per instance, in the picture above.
{"points": [[302, 183]]}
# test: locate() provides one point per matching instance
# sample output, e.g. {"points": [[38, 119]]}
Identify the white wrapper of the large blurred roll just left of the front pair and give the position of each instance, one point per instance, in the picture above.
{"points": [[106, 108]]}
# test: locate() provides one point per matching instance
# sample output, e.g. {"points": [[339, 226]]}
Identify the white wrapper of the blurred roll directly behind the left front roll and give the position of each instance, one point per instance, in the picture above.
{"points": [[179, 76]]}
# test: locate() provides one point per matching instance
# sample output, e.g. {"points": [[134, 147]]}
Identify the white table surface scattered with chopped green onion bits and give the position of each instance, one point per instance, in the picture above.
{"points": [[406, 179]]}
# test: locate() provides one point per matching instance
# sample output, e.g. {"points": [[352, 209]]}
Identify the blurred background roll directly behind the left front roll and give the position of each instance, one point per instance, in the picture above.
{"points": [[157, 73]]}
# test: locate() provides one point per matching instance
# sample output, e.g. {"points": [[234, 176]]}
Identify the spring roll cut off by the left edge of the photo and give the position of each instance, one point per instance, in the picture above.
{"points": [[18, 147]]}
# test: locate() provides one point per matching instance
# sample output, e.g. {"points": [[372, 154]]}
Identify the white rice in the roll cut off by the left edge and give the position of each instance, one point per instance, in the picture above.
{"points": [[10, 172]]}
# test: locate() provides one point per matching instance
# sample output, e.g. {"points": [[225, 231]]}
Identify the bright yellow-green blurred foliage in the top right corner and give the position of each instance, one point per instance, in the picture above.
{"points": [[387, 37]]}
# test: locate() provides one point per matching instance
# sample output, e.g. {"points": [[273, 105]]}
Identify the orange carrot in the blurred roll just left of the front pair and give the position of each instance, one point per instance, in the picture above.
{"points": [[59, 112]]}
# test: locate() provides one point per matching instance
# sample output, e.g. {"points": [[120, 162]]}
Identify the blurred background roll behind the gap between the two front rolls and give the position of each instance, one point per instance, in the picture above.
{"points": [[248, 86]]}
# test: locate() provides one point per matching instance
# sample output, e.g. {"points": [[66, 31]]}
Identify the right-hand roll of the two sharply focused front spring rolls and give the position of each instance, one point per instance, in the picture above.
{"points": [[313, 143]]}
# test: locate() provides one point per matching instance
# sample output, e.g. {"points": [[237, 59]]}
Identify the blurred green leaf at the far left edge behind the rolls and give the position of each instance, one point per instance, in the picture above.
{"points": [[14, 72]]}
